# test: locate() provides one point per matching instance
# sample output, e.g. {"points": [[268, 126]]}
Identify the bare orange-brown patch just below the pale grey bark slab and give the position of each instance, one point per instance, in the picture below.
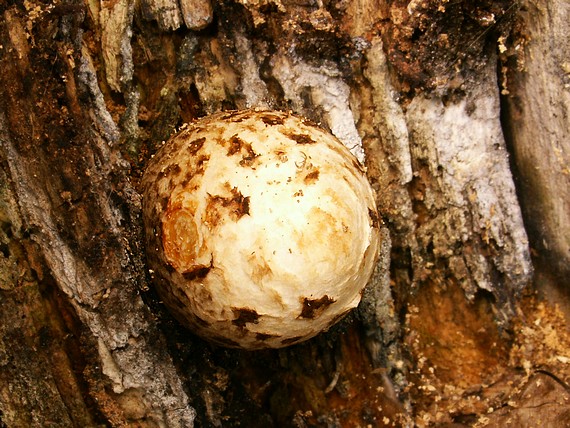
{"points": [[458, 337]]}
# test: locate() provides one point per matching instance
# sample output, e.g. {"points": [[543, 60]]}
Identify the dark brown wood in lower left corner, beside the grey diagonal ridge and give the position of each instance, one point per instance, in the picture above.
{"points": [[39, 378]]}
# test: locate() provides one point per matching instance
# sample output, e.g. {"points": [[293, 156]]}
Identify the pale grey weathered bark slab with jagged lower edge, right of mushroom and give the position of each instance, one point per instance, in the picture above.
{"points": [[469, 224]]}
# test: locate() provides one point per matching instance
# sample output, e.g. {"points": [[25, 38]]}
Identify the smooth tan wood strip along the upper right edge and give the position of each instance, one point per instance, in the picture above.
{"points": [[537, 117]]}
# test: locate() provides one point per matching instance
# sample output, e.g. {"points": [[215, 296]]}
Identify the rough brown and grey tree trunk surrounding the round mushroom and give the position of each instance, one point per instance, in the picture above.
{"points": [[89, 91]]}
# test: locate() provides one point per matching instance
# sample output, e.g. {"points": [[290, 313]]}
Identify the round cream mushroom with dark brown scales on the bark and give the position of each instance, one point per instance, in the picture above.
{"points": [[261, 228]]}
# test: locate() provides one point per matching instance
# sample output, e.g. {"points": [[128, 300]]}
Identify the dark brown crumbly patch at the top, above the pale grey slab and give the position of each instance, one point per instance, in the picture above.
{"points": [[432, 42]]}
